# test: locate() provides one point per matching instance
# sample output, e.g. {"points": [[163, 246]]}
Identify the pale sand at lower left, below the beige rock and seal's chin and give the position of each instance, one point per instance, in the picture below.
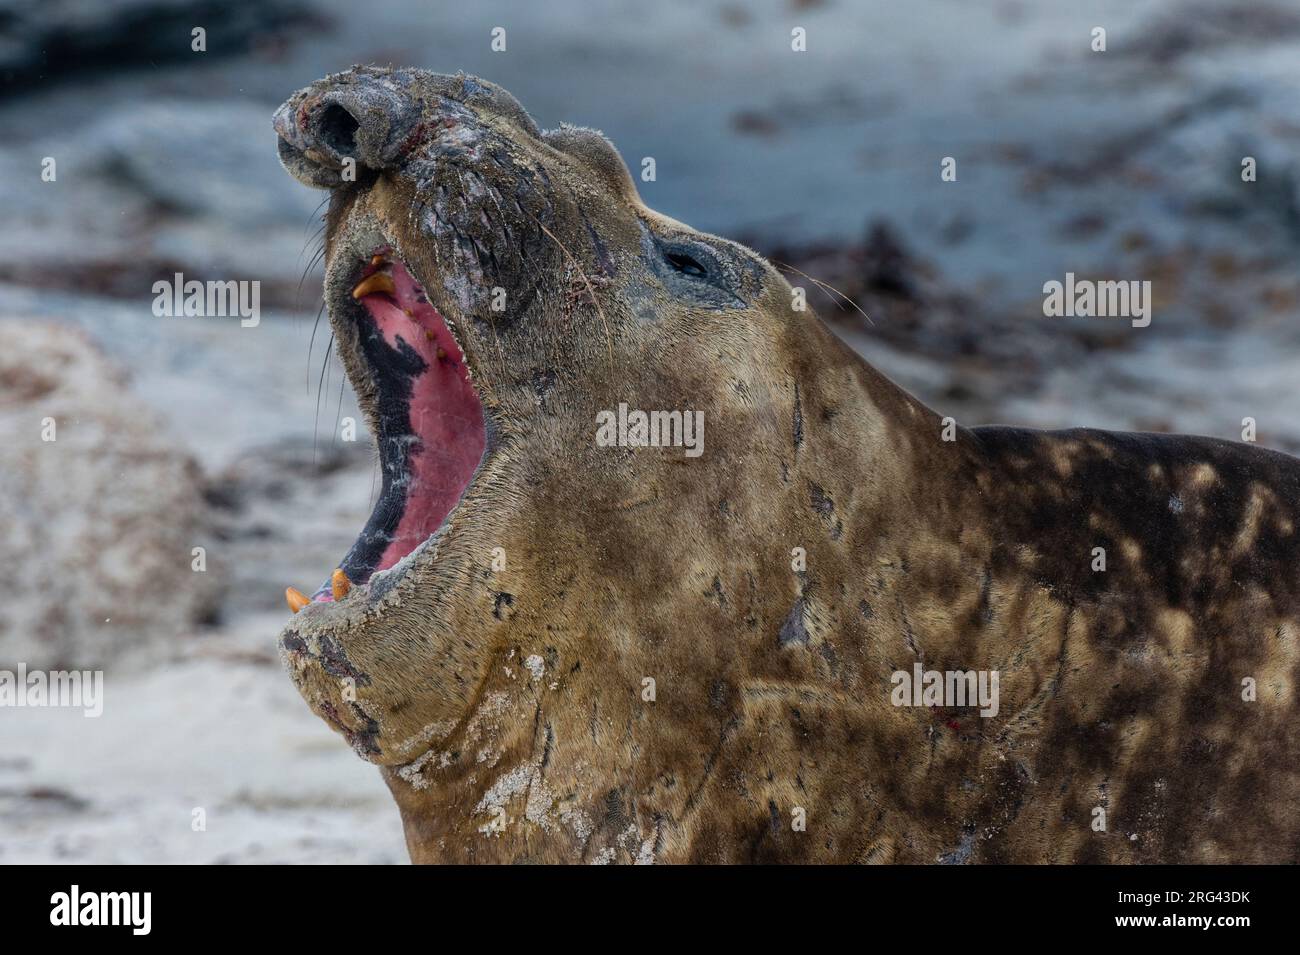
{"points": [[215, 732]]}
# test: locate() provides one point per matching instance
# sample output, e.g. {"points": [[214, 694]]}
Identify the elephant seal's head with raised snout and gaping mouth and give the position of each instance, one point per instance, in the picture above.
{"points": [[492, 289]]}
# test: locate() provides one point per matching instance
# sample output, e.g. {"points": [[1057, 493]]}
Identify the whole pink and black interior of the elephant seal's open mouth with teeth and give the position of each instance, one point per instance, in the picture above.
{"points": [[427, 413]]}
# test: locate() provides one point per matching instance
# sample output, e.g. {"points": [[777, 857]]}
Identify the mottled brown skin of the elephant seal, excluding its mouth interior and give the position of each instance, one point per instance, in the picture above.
{"points": [[1120, 689]]}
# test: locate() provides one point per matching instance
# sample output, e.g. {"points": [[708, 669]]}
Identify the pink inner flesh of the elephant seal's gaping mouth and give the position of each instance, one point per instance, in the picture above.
{"points": [[447, 415]]}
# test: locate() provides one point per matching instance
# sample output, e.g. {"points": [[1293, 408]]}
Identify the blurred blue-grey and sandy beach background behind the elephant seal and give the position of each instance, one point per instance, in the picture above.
{"points": [[184, 433]]}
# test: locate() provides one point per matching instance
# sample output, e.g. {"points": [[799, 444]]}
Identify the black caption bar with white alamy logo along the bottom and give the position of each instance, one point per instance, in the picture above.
{"points": [[133, 906]]}
